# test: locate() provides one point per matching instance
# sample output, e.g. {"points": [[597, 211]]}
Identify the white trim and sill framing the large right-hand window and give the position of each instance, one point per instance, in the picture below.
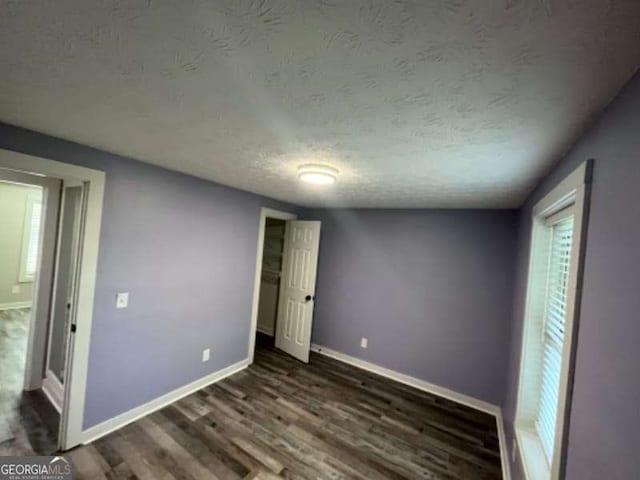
{"points": [[572, 192]]}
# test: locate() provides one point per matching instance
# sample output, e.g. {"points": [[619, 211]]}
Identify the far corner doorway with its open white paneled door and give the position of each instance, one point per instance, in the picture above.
{"points": [[284, 293]]}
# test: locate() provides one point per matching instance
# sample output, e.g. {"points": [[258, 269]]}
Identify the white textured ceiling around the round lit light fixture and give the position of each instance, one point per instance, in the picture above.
{"points": [[446, 103]]}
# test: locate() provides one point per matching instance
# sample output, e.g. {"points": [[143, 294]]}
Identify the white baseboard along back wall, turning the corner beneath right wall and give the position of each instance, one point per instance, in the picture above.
{"points": [[467, 400]]}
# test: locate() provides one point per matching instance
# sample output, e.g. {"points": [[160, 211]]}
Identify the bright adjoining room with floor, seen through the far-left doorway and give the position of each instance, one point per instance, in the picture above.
{"points": [[28, 421]]}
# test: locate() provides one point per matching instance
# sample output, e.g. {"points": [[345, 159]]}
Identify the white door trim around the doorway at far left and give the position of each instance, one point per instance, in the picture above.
{"points": [[71, 425]]}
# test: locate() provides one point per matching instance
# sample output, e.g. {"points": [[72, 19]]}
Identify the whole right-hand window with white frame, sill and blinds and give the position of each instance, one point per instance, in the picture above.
{"points": [[550, 317]]}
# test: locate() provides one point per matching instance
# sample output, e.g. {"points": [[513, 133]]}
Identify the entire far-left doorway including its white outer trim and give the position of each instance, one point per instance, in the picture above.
{"points": [[43, 351]]}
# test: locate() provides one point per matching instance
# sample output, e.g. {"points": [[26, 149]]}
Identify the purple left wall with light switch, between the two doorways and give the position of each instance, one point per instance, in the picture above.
{"points": [[185, 249]]}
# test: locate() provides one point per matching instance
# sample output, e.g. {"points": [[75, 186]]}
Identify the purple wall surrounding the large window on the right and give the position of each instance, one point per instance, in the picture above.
{"points": [[604, 435]]}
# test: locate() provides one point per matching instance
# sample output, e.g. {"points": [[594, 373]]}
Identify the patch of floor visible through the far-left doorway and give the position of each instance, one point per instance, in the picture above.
{"points": [[28, 422]]}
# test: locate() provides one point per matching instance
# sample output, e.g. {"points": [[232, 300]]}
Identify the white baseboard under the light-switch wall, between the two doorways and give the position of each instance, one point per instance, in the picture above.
{"points": [[93, 433]]}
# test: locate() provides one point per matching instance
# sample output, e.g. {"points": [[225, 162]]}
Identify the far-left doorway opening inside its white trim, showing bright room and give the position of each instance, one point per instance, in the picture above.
{"points": [[39, 258]]}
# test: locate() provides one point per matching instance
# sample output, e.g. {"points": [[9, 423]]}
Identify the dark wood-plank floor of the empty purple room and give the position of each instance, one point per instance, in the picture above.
{"points": [[283, 419]]}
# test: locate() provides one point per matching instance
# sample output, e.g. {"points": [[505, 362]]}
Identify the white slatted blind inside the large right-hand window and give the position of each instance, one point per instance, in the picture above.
{"points": [[554, 332]]}
